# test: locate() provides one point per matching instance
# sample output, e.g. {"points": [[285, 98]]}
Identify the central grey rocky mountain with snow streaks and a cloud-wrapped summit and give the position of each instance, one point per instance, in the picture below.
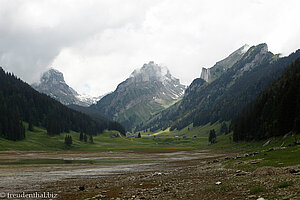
{"points": [[147, 91]]}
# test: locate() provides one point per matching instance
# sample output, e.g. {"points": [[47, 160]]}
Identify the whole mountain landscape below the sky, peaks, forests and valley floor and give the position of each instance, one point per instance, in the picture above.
{"points": [[231, 134]]}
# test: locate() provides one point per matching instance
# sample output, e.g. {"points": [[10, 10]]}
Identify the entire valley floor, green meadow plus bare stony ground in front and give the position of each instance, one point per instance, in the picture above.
{"points": [[161, 165]]}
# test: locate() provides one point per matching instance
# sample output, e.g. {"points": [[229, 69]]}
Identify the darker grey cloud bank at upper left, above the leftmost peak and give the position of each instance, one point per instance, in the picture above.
{"points": [[33, 33]]}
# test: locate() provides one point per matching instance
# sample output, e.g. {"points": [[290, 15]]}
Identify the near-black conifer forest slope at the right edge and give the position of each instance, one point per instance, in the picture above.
{"points": [[276, 111]]}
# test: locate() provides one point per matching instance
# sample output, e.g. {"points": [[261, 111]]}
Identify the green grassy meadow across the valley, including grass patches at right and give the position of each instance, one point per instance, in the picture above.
{"points": [[189, 138]]}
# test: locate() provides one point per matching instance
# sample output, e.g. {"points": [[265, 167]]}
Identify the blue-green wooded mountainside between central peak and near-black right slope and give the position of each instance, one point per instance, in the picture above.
{"points": [[222, 99]]}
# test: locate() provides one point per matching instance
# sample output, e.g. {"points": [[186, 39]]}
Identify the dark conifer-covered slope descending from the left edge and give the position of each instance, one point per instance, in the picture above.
{"points": [[20, 103]]}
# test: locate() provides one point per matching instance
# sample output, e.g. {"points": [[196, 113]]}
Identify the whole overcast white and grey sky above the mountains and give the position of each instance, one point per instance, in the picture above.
{"points": [[98, 43]]}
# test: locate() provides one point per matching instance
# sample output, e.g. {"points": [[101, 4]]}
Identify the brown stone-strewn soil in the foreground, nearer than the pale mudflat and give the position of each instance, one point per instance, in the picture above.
{"points": [[206, 178]]}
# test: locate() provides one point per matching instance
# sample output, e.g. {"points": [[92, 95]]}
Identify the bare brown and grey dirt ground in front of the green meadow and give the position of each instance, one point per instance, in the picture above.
{"points": [[153, 175]]}
